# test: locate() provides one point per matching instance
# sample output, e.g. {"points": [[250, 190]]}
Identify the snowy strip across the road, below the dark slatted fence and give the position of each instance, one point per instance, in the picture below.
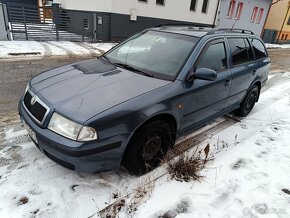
{"points": [[33, 49]]}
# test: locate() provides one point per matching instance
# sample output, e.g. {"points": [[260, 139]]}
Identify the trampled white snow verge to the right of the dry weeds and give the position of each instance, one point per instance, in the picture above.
{"points": [[248, 178]]}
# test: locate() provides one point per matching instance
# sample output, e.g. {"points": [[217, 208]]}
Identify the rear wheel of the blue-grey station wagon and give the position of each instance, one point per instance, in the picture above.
{"points": [[249, 102]]}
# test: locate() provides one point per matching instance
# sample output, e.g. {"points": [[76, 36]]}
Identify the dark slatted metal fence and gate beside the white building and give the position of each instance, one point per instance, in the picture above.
{"points": [[28, 22]]}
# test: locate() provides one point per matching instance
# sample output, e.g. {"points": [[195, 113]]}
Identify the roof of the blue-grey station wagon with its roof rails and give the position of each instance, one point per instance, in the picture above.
{"points": [[199, 31]]}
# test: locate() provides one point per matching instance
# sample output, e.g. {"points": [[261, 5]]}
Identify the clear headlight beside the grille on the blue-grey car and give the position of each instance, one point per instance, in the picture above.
{"points": [[70, 129]]}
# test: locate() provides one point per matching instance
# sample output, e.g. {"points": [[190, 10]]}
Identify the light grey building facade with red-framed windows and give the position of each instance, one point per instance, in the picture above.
{"points": [[243, 14]]}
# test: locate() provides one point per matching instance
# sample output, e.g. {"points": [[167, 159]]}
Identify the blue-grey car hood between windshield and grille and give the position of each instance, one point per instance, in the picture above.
{"points": [[82, 90]]}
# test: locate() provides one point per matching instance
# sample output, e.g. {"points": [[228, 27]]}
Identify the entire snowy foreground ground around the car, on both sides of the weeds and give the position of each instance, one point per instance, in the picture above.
{"points": [[246, 178]]}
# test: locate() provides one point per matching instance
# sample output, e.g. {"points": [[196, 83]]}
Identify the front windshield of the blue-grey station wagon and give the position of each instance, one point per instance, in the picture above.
{"points": [[153, 53]]}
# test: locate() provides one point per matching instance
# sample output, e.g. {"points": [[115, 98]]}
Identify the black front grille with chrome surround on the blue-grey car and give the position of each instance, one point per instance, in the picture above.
{"points": [[37, 110]]}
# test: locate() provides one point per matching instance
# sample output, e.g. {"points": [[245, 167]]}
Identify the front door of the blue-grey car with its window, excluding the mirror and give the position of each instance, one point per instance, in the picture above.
{"points": [[204, 99]]}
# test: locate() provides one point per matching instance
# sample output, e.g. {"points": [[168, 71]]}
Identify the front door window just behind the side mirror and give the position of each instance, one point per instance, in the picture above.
{"points": [[213, 57]]}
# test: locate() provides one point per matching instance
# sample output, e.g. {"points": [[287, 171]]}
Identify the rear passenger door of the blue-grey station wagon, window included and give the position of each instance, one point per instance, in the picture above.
{"points": [[243, 67]]}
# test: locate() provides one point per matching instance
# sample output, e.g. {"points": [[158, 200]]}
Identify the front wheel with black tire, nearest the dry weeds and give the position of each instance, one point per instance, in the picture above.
{"points": [[147, 148]]}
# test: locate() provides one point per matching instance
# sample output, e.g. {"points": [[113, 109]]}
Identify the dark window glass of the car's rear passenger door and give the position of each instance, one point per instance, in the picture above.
{"points": [[239, 51]]}
